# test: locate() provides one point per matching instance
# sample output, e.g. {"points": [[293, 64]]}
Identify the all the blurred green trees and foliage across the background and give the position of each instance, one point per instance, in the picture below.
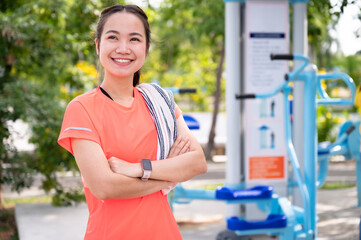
{"points": [[47, 57]]}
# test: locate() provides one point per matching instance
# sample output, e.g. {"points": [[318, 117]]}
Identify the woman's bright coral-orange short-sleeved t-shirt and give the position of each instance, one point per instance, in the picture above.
{"points": [[127, 133]]}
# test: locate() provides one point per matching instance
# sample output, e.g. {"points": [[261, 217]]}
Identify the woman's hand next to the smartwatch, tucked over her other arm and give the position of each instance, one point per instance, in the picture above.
{"points": [[123, 167]]}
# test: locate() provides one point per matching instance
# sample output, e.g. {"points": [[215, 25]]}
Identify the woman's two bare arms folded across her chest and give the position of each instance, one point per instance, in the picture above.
{"points": [[116, 178]]}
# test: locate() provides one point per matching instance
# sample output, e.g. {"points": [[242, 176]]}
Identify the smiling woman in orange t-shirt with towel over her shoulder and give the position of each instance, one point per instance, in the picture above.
{"points": [[112, 131]]}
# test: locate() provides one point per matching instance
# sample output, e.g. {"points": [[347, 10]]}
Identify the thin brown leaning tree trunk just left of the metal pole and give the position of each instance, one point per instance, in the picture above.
{"points": [[217, 99]]}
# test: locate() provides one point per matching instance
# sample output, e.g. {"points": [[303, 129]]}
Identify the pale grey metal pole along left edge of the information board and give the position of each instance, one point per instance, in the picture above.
{"points": [[233, 78]]}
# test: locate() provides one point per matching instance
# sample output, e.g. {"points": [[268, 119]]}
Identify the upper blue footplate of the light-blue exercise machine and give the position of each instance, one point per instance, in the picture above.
{"points": [[257, 192]]}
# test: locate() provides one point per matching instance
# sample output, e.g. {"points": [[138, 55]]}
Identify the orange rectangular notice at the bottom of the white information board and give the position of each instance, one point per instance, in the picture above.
{"points": [[266, 167]]}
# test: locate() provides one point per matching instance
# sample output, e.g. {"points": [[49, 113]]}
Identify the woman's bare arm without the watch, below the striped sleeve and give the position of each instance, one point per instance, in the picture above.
{"points": [[102, 181]]}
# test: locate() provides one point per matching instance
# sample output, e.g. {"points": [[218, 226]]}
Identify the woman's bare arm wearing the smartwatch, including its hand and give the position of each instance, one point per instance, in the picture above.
{"points": [[178, 168]]}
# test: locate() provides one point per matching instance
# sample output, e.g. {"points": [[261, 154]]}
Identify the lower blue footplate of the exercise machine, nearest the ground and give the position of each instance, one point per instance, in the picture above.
{"points": [[272, 221]]}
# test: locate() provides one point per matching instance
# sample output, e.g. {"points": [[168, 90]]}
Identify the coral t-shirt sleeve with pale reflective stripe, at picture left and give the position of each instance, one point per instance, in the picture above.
{"points": [[76, 124]]}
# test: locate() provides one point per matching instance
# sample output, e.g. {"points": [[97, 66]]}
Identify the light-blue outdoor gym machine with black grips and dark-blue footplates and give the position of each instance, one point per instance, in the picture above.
{"points": [[284, 219]]}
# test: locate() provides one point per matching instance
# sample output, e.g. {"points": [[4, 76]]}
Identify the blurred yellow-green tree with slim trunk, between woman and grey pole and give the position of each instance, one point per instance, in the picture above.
{"points": [[185, 29]]}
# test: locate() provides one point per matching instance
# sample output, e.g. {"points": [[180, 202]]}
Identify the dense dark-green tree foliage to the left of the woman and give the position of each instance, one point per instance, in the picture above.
{"points": [[46, 60]]}
